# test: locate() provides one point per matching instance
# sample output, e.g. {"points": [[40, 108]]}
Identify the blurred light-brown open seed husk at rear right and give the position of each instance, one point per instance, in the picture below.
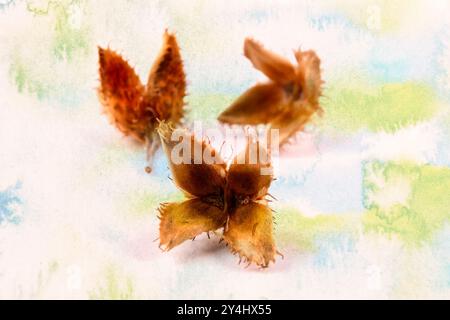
{"points": [[288, 101]]}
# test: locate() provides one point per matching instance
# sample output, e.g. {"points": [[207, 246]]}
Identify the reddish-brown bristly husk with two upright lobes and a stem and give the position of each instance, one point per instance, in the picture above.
{"points": [[136, 109]]}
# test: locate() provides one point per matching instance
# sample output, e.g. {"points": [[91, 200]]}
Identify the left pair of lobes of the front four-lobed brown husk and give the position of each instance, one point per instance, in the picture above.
{"points": [[203, 183]]}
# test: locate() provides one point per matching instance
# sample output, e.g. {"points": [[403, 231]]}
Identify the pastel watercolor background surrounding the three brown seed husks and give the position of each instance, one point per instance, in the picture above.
{"points": [[363, 206]]}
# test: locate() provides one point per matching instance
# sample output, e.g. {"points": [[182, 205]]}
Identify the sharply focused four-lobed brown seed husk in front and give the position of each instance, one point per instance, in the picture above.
{"points": [[232, 199]]}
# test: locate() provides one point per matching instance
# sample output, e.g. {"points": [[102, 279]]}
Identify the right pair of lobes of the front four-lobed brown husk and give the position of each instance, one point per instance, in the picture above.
{"points": [[249, 228]]}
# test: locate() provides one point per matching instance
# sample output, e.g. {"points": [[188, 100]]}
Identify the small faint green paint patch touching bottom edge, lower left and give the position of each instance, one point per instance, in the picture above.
{"points": [[114, 286]]}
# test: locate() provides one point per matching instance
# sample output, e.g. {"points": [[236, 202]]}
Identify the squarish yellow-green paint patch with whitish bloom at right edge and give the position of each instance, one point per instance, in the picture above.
{"points": [[406, 200]]}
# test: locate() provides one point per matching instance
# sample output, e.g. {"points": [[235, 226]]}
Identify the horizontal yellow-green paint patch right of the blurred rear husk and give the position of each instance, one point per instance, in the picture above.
{"points": [[354, 105]]}
